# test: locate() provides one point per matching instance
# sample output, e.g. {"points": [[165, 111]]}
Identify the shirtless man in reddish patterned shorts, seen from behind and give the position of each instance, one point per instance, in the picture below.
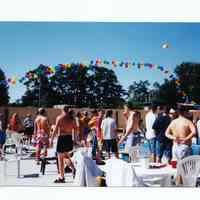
{"points": [[41, 133]]}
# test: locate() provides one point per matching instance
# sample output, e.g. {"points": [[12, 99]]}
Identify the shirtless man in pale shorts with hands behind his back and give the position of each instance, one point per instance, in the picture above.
{"points": [[181, 131]]}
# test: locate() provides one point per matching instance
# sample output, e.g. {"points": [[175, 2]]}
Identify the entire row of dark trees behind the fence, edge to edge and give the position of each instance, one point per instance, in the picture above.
{"points": [[96, 87]]}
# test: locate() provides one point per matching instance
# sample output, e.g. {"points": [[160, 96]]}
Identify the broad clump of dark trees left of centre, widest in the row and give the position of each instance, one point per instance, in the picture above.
{"points": [[77, 85]]}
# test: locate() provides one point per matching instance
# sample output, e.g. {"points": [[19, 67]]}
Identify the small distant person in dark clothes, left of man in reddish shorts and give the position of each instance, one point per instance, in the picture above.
{"points": [[28, 128]]}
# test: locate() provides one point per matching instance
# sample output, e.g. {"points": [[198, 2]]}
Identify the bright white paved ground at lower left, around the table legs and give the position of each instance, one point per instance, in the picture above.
{"points": [[29, 167]]}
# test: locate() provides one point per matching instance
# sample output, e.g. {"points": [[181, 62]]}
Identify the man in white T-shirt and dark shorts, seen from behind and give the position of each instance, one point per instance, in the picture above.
{"points": [[109, 127]]}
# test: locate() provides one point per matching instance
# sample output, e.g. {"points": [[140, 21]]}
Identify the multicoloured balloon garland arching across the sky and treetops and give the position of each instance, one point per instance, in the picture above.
{"points": [[51, 70]]}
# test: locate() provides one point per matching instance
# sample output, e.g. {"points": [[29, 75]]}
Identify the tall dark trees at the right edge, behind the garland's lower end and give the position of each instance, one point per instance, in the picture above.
{"points": [[172, 92]]}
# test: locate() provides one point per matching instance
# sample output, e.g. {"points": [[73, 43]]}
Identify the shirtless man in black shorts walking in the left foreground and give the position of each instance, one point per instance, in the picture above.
{"points": [[65, 127]]}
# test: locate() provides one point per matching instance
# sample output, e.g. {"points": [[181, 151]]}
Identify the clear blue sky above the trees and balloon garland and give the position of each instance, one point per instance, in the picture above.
{"points": [[25, 45]]}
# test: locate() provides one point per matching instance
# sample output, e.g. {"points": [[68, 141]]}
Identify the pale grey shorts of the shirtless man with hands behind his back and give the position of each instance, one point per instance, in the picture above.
{"points": [[181, 151]]}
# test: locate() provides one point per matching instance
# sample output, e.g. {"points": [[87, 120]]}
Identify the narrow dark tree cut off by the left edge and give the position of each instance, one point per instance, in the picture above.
{"points": [[4, 99]]}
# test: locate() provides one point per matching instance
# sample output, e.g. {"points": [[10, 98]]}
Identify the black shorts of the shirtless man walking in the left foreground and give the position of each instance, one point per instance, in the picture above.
{"points": [[64, 144]]}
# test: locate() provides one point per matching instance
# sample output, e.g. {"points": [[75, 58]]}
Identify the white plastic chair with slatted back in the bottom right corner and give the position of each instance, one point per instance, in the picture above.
{"points": [[189, 170]]}
